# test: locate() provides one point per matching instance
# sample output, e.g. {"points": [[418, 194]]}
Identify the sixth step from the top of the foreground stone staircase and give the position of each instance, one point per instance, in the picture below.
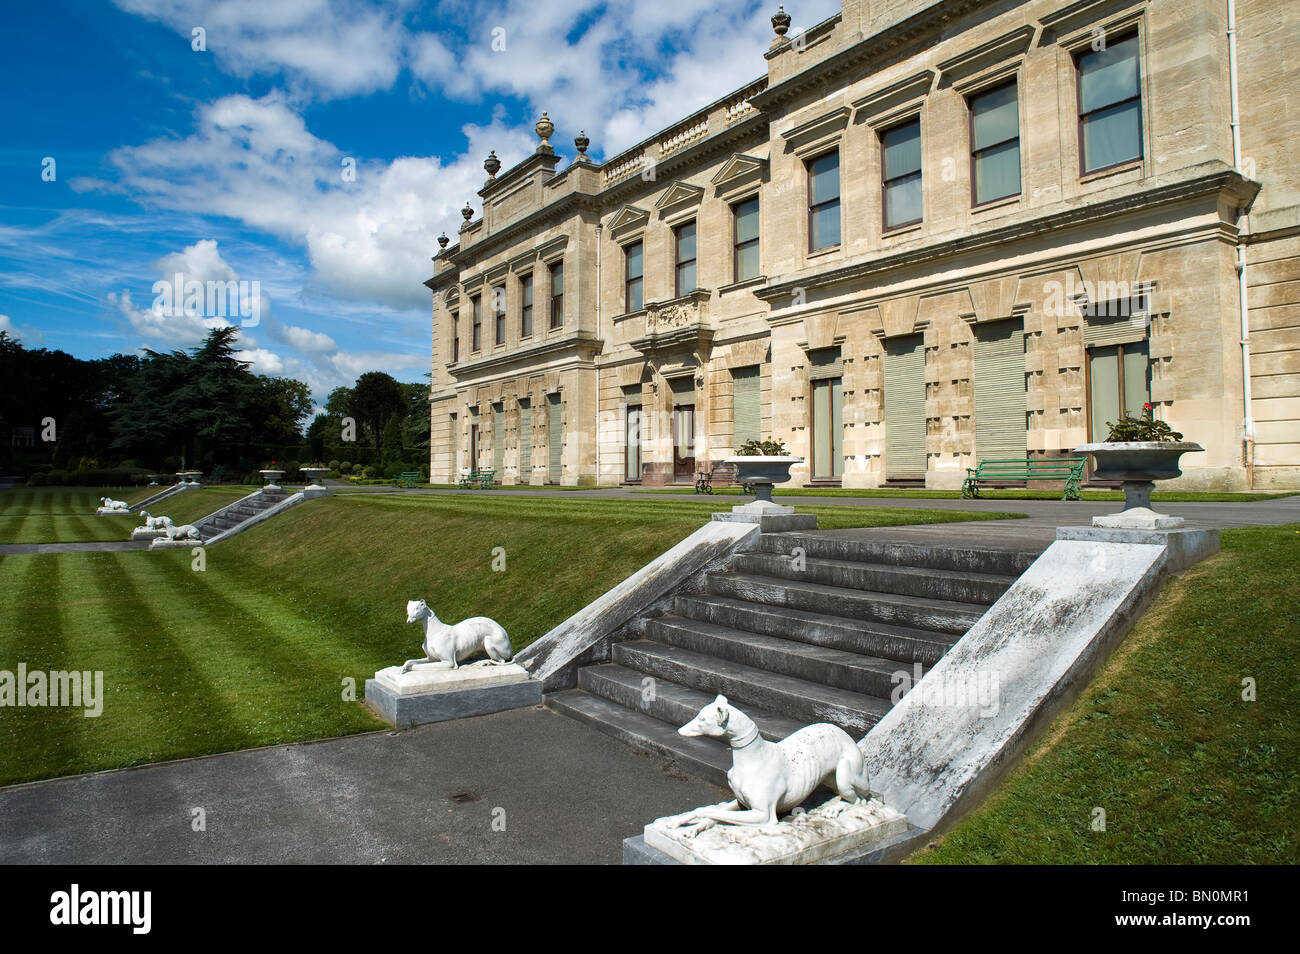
{"points": [[788, 696]]}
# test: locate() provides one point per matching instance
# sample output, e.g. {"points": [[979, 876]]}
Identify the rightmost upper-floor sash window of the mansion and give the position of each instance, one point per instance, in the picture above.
{"points": [[1110, 107]]}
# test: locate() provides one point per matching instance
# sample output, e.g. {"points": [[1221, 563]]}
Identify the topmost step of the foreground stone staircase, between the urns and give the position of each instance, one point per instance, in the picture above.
{"points": [[835, 547]]}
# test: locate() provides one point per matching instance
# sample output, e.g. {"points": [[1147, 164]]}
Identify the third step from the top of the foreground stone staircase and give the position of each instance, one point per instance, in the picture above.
{"points": [[916, 613]]}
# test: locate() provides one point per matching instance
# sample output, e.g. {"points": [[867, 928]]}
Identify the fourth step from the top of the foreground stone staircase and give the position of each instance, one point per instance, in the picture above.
{"points": [[821, 630]]}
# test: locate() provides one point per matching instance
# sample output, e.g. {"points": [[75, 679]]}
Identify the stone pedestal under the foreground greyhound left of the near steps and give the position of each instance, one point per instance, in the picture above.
{"points": [[428, 695]]}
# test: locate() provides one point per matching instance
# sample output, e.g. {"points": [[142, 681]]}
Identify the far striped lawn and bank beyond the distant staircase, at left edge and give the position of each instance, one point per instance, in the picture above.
{"points": [[51, 517]]}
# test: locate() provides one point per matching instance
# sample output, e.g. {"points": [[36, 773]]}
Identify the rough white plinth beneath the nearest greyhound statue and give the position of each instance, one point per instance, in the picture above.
{"points": [[831, 830]]}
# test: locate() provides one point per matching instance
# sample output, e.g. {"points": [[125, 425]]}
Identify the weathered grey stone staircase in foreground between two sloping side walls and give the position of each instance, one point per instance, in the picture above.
{"points": [[805, 628]]}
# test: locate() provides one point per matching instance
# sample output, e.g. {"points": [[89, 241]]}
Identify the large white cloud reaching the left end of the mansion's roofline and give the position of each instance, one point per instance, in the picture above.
{"points": [[254, 161]]}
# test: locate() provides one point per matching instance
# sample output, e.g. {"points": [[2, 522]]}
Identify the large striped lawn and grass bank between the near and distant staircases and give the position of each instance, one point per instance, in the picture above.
{"points": [[255, 649]]}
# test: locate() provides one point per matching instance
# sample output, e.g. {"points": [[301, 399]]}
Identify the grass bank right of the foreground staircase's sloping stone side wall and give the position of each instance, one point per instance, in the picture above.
{"points": [[1186, 770]]}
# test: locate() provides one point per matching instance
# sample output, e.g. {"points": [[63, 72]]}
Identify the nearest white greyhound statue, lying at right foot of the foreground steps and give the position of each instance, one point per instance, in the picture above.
{"points": [[774, 778]]}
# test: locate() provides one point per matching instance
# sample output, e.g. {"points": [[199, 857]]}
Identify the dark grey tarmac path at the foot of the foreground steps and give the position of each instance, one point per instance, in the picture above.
{"points": [[565, 792]]}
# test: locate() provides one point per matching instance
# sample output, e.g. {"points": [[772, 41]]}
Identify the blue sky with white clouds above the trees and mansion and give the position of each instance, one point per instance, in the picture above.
{"points": [[228, 163]]}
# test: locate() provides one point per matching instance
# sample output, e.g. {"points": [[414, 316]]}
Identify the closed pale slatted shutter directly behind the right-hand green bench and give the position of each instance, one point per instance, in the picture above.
{"points": [[1000, 427]]}
